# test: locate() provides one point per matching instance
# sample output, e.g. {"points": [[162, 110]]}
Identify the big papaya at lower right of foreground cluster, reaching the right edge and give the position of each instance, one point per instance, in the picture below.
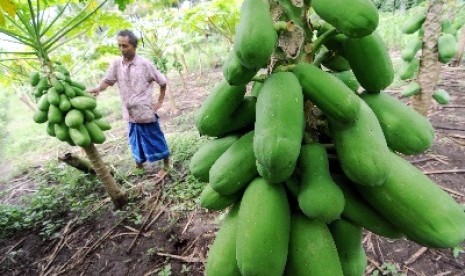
{"points": [[417, 206]]}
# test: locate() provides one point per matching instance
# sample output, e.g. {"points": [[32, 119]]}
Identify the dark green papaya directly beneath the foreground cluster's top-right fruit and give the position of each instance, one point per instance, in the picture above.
{"points": [[370, 61]]}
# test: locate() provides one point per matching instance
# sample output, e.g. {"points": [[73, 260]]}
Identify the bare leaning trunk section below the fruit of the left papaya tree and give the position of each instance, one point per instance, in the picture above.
{"points": [[118, 198]]}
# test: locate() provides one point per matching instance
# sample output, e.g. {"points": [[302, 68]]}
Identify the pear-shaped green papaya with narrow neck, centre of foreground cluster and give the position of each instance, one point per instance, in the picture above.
{"points": [[319, 197]]}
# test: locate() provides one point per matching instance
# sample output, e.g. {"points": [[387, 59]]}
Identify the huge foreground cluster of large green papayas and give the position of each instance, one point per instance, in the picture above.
{"points": [[300, 208]]}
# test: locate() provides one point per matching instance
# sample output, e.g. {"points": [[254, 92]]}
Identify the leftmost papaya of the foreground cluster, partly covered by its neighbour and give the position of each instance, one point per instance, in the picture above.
{"points": [[204, 158]]}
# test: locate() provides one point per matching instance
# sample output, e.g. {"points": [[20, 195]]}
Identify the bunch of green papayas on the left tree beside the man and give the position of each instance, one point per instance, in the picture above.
{"points": [[68, 110]]}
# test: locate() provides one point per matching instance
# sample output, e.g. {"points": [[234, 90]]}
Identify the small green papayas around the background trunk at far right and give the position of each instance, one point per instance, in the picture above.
{"points": [[447, 50]]}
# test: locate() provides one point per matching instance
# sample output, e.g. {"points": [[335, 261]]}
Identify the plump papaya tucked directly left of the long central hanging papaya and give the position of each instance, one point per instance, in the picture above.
{"points": [[235, 168]]}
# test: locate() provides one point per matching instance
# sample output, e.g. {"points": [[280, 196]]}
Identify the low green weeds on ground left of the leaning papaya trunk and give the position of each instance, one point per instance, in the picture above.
{"points": [[60, 190]]}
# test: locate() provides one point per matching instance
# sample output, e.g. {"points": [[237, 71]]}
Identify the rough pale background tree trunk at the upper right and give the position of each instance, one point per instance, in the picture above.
{"points": [[430, 68]]}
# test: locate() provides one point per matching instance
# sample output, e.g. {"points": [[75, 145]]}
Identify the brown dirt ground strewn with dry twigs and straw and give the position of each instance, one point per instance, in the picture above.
{"points": [[176, 243]]}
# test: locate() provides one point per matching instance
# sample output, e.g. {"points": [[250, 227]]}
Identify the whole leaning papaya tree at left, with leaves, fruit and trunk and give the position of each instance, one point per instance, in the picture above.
{"points": [[27, 25]]}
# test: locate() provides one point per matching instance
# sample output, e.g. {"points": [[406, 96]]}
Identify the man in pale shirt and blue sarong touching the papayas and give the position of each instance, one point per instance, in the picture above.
{"points": [[135, 76]]}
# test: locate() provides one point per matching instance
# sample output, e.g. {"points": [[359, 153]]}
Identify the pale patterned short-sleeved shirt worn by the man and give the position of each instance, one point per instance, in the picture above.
{"points": [[135, 81]]}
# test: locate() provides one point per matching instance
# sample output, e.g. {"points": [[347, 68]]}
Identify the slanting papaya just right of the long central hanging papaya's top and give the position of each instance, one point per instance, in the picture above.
{"points": [[327, 92]]}
